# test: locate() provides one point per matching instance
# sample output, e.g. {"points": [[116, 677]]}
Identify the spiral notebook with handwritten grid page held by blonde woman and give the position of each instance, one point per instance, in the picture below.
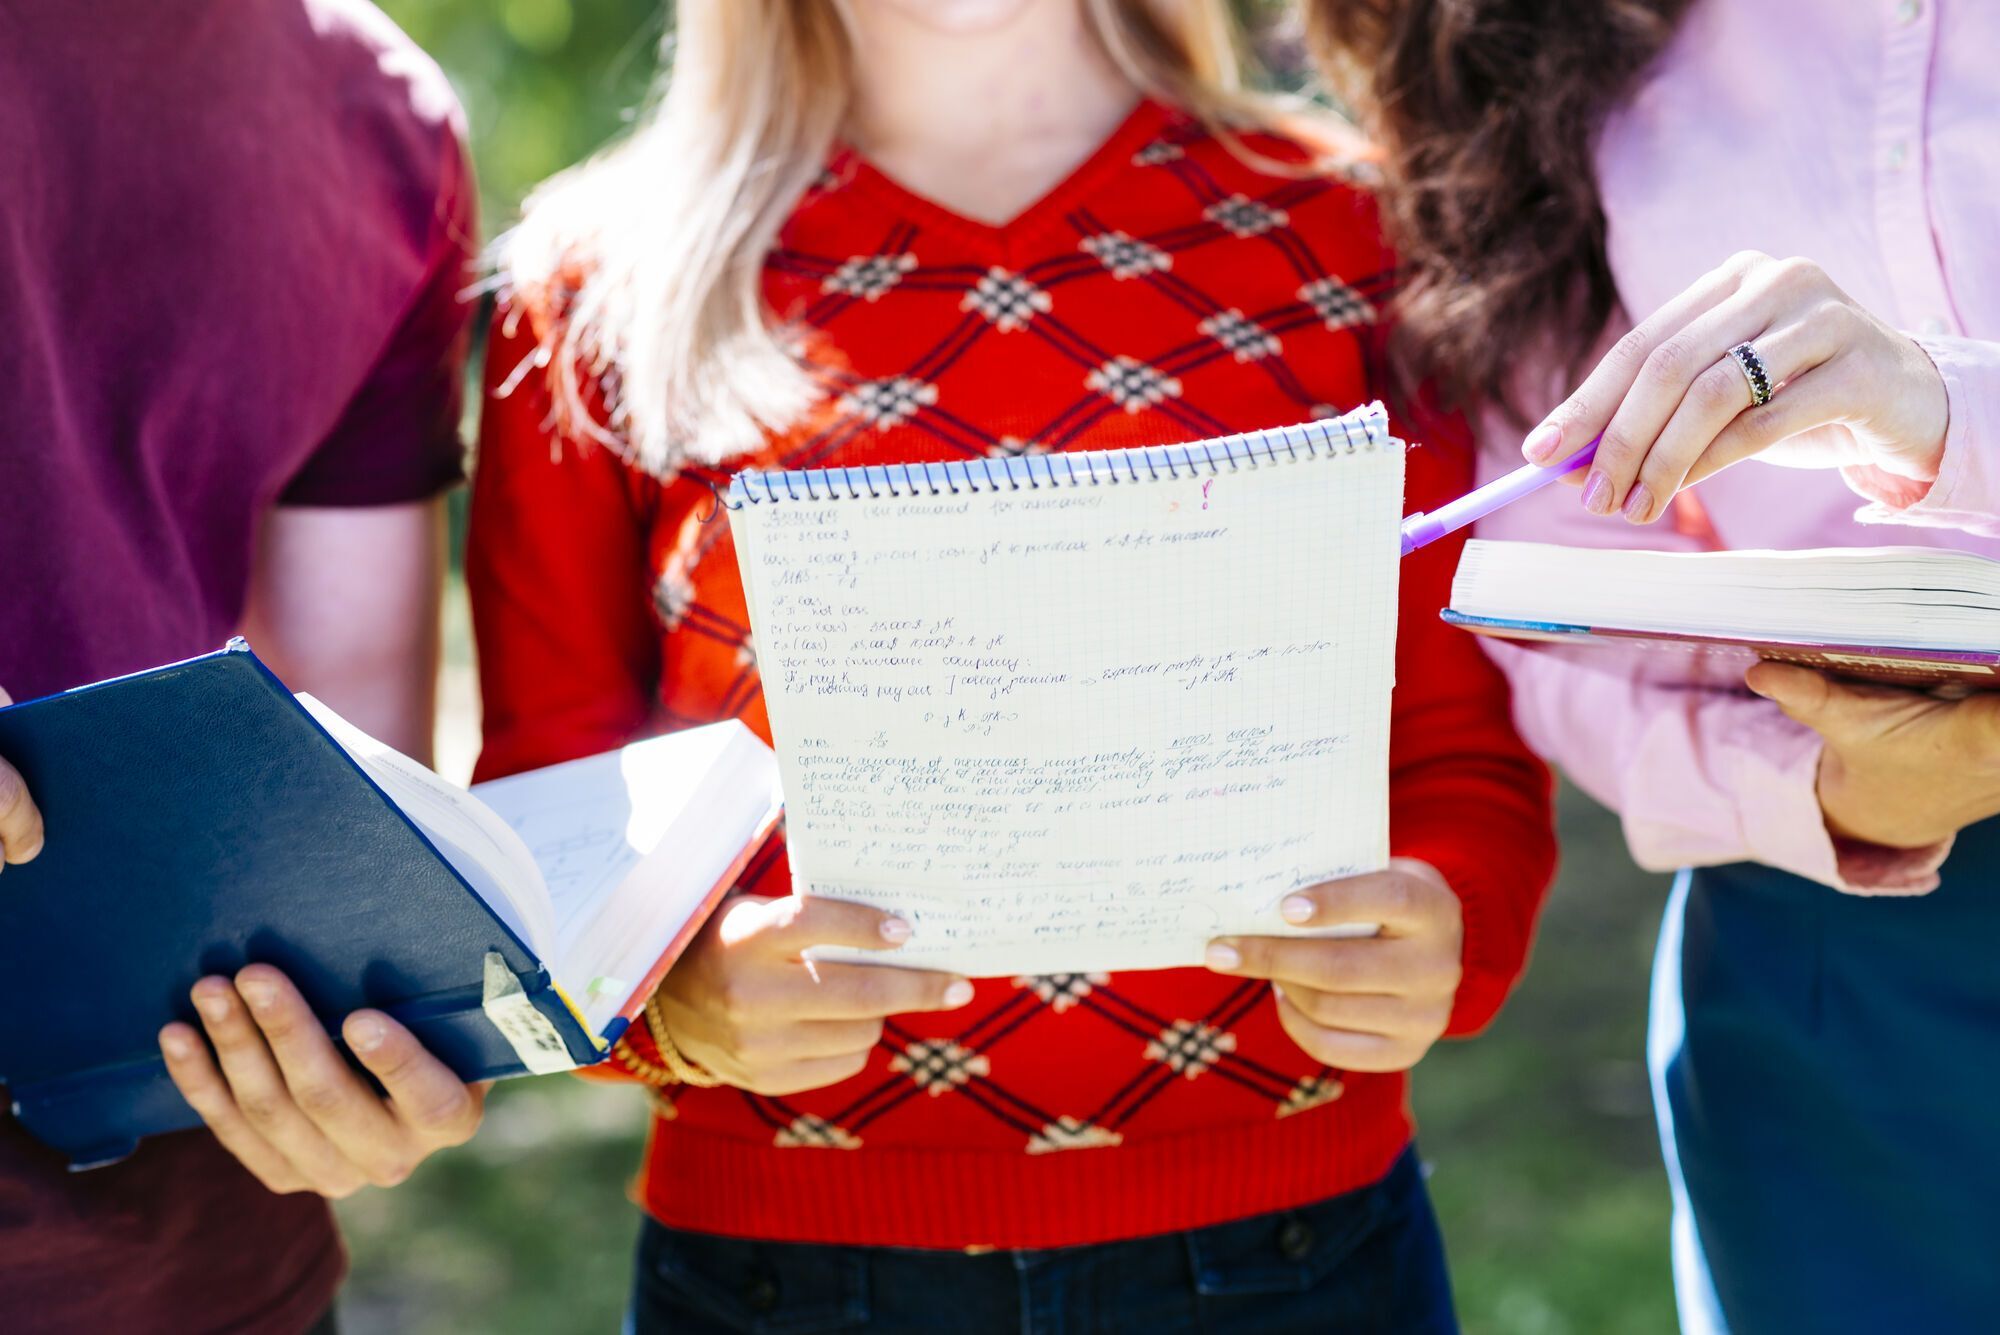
{"points": [[1083, 712]]}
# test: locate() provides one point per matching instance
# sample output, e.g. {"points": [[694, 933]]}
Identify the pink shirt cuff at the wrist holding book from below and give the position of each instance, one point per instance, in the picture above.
{"points": [[1787, 830]]}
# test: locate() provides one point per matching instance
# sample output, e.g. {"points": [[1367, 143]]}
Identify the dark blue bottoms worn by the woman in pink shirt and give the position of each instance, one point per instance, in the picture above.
{"points": [[1827, 1074]]}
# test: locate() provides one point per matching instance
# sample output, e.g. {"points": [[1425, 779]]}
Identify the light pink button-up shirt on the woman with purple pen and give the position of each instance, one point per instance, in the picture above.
{"points": [[1863, 135]]}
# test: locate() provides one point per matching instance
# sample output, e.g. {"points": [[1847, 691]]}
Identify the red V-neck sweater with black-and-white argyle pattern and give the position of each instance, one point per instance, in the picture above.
{"points": [[1173, 289]]}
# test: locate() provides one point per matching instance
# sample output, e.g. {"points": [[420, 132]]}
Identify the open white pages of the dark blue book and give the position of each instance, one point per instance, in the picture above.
{"points": [[601, 866]]}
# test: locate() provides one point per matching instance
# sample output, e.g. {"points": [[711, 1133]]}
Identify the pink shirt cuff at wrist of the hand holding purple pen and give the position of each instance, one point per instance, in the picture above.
{"points": [[1967, 491]]}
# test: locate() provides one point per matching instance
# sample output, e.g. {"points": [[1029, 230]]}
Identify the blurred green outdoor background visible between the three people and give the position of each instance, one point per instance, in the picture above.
{"points": [[1541, 1136]]}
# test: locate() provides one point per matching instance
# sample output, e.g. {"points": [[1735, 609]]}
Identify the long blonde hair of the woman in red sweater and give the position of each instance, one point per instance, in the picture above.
{"points": [[651, 255]]}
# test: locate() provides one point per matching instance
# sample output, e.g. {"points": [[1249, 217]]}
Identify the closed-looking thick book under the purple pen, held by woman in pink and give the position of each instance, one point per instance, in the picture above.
{"points": [[1911, 617]]}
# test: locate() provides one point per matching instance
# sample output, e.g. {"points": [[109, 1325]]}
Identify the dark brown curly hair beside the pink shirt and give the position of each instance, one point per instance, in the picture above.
{"points": [[1487, 115]]}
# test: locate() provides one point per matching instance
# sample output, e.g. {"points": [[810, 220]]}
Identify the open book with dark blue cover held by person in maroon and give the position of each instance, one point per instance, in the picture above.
{"points": [[203, 818]]}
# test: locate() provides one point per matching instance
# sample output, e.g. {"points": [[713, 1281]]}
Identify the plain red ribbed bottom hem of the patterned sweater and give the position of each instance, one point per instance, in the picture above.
{"points": [[899, 1196]]}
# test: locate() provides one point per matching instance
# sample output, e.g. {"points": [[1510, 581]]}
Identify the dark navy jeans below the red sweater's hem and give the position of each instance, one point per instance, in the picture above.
{"points": [[1365, 1262]]}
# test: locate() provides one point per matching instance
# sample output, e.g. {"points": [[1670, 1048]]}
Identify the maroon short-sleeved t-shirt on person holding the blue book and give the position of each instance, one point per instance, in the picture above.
{"points": [[233, 249]]}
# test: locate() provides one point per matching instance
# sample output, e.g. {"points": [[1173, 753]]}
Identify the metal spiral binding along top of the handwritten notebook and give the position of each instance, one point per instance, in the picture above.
{"points": [[1361, 431]]}
